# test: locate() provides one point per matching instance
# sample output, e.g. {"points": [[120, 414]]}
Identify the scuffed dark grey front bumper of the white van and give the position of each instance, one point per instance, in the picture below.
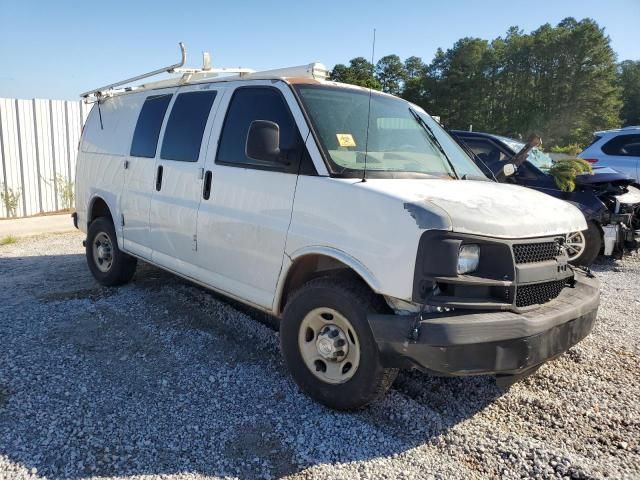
{"points": [[497, 342]]}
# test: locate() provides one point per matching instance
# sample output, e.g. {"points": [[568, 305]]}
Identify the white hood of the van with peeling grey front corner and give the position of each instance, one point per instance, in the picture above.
{"points": [[481, 208]]}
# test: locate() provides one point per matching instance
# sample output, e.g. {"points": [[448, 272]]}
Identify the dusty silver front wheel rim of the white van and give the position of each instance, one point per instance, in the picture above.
{"points": [[329, 345]]}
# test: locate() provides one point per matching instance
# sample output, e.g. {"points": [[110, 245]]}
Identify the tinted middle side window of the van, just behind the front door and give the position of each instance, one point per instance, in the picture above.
{"points": [[185, 127]]}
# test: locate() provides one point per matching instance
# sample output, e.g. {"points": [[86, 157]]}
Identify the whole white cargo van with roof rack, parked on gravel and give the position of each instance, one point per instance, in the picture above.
{"points": [[350, 215]]}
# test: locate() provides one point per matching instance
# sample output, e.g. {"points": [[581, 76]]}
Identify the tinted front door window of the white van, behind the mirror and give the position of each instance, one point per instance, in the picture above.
{"points": [[257, 103]]}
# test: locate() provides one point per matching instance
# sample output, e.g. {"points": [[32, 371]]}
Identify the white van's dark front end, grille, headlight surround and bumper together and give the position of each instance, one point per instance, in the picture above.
{"points": [[521, 306]]}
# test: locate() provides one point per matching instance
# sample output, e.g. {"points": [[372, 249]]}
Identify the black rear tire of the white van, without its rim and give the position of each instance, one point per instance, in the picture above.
{"points": [[122, 266]]}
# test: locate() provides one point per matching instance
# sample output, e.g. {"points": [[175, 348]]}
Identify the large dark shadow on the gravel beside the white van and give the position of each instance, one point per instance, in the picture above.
{"points": [[160, 377]]}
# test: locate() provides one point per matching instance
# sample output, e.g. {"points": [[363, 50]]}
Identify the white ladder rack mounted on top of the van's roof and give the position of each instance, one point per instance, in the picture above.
{"points": [[311, 71]]}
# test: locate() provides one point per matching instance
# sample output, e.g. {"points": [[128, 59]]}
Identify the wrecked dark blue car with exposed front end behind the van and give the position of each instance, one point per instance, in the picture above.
{"points": [[610, 200]]}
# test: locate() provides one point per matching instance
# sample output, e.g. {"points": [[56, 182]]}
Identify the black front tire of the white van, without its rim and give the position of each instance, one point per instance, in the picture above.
{"points": [[352, 299]]}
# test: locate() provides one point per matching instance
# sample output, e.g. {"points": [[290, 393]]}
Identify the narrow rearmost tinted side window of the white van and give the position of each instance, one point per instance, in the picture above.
{"points": [[145, 136]]}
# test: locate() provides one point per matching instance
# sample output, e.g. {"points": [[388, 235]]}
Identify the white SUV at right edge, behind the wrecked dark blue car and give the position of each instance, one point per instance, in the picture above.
{"points": [[618, 149]]}
